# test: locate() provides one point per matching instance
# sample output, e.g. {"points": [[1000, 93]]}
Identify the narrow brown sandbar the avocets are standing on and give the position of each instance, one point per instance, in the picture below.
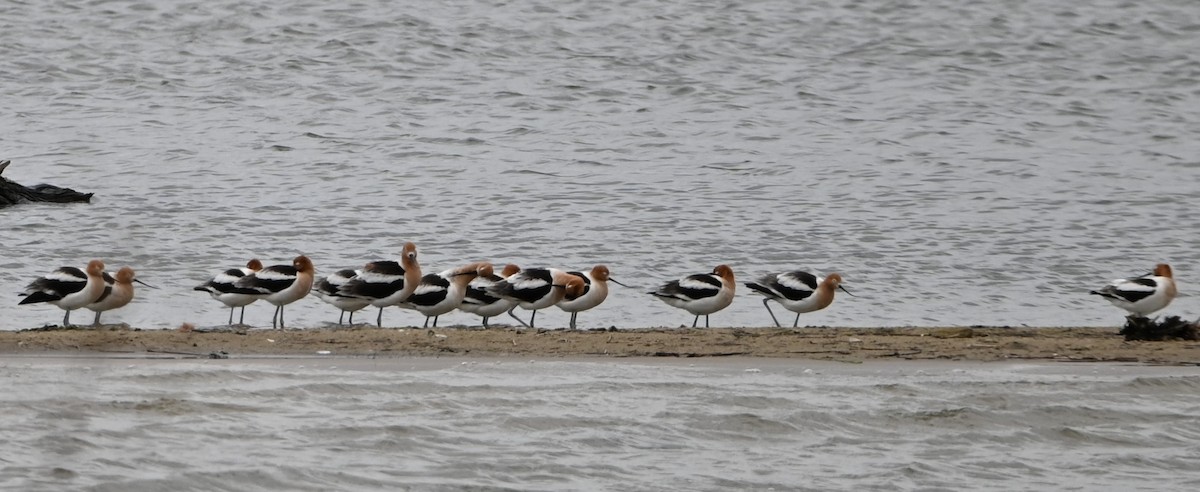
{"points": [[817, 344]]}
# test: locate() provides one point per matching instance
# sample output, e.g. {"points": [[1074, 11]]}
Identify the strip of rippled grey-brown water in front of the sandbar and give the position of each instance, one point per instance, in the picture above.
{"points": [[553, 425]]}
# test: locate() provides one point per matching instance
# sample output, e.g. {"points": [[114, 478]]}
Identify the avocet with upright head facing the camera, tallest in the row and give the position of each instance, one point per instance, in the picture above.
{"points": [[387, 283]]}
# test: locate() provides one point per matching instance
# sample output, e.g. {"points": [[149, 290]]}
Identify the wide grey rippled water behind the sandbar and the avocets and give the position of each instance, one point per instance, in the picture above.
{"points": [[961, 163]]}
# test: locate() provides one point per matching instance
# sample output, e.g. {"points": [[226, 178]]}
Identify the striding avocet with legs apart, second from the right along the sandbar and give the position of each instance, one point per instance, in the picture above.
{"points": [[799, 292]]}
